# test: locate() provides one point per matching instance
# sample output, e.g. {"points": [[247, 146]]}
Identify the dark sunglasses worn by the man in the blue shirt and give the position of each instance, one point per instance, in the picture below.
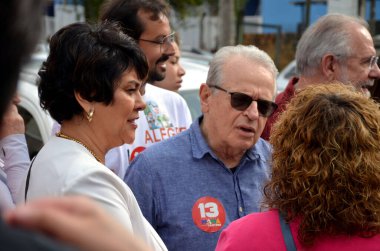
{"points": [[241, 102]]}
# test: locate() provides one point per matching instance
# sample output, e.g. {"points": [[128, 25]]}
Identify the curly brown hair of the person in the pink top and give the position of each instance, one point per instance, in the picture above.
{"points": [[326, 163]]}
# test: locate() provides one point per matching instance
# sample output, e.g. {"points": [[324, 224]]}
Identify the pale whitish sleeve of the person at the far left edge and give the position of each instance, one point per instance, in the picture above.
{"points": [[14, 152]]}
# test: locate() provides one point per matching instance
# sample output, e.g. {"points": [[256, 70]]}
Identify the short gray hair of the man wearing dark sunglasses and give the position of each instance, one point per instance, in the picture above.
{"points": [[250, 52]]}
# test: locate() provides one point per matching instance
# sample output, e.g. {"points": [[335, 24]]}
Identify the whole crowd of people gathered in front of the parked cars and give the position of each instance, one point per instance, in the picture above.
{"points": [[296, 171]]}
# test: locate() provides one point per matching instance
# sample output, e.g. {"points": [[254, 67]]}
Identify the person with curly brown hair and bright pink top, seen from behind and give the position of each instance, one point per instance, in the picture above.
{"points": [[325, 177]]}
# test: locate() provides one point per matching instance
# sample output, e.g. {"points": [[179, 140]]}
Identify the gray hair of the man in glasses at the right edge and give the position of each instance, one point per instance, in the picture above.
{"points": [[330, 34]]}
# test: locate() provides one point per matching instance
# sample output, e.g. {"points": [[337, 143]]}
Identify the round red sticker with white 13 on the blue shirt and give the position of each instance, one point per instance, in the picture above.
{"points": [[208, 214]]}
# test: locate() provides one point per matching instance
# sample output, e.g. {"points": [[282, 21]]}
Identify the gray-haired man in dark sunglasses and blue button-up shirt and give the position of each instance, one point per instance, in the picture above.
{"points": [[191, 186]]}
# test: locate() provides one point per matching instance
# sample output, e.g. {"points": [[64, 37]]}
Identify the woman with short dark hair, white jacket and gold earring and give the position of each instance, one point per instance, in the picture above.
{"points": [[92, 84]]}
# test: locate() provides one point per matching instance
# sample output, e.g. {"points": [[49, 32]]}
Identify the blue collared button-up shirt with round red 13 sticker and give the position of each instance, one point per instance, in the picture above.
{"points": [[188, 195]]}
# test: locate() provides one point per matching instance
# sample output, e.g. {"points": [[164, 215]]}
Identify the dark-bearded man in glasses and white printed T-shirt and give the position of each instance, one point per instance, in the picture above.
{"points": [[147, 22]]}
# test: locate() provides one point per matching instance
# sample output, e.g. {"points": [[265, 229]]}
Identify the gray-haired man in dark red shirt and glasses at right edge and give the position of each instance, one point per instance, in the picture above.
{"points": [[336, 47]]}
